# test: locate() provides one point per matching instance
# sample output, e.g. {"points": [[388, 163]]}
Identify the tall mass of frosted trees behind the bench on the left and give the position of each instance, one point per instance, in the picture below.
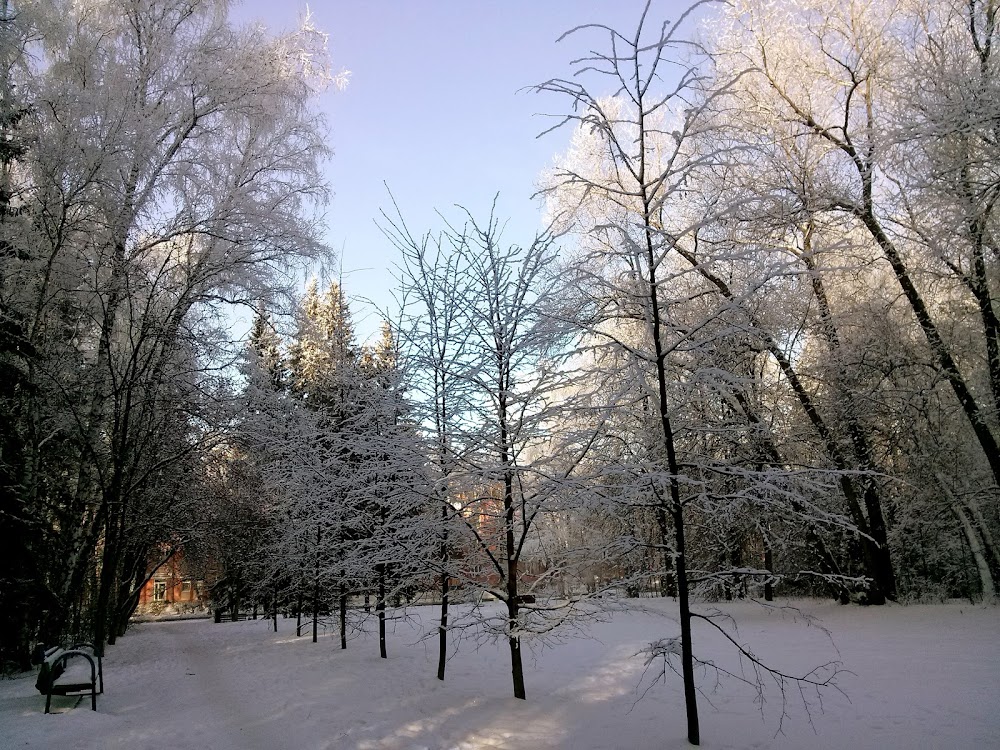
{"points": [[158, 166]]}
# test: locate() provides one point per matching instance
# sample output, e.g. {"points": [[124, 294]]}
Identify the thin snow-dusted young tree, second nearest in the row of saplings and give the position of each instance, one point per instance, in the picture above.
{"points": [[518, 391]]}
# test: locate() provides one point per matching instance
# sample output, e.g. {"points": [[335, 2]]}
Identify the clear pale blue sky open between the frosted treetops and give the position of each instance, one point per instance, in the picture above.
{"points": [[433, 110]]}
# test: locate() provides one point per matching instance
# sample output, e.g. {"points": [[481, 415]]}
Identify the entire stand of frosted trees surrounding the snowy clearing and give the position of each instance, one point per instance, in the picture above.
{"points": [[756, 353]]}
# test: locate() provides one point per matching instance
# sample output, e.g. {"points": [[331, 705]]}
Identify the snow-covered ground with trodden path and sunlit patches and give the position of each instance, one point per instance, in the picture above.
{"points": [[920, 677]]}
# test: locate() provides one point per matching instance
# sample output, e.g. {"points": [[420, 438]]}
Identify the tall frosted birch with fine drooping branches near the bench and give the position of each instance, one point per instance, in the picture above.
{"points": [[174, 169]]}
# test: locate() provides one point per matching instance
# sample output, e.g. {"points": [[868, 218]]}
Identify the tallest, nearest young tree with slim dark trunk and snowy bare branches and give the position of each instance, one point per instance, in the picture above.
{"points": [[676, 306]]}
